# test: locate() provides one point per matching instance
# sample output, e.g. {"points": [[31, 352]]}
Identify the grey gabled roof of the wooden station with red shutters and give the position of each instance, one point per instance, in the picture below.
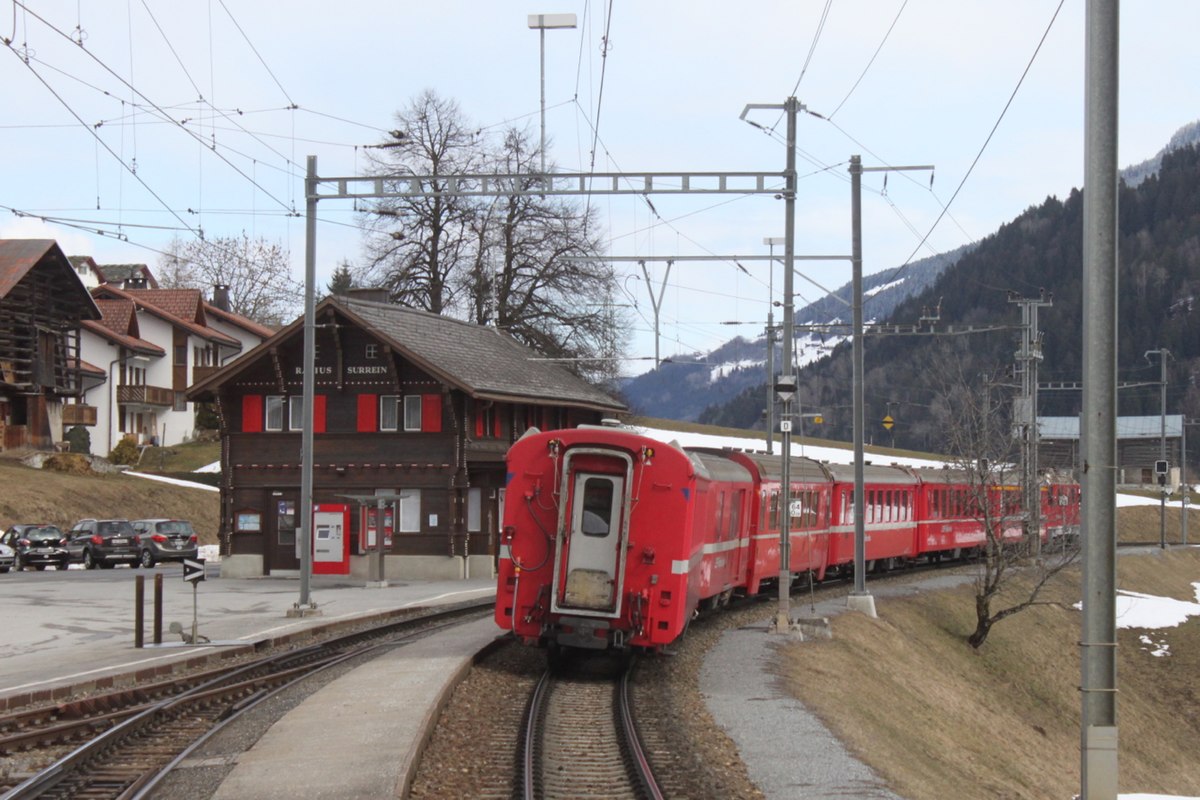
{"points": [[482, 362]]}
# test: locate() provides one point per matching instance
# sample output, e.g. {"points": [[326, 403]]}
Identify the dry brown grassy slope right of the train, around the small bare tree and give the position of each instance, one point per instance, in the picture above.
{"points": [[940, 720]]}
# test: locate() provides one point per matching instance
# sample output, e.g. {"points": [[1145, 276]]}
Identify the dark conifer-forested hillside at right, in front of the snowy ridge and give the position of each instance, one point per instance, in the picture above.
{"points": [[1159, 284]]}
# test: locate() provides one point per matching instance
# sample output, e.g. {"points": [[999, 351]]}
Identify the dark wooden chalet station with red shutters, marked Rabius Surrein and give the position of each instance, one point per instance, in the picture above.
{"points": [[411, 408]]}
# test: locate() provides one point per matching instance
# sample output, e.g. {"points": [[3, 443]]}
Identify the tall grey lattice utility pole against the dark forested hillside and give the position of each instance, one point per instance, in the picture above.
{"points": [[1025, 412]]}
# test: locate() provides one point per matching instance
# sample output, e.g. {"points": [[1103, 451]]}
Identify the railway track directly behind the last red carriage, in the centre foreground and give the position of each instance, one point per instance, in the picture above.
{"points": [[580, 739]]}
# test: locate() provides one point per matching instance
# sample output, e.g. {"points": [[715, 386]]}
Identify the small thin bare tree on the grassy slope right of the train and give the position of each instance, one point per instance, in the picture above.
{"points": [[979, 438]]}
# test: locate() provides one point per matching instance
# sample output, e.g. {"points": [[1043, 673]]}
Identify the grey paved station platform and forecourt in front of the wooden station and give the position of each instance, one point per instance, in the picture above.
{"points": [[68, 634]]}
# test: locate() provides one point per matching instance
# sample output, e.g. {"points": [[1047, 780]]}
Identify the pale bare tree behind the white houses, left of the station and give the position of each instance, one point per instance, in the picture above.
{"points": [[257, 273]]}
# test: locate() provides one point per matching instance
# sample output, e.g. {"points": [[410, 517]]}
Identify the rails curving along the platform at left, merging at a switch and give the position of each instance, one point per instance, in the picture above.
{"points": [[136, 737]]}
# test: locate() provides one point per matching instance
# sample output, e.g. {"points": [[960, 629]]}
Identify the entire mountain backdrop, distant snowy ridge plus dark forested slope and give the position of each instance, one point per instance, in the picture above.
{"points": [[1041, 250]]}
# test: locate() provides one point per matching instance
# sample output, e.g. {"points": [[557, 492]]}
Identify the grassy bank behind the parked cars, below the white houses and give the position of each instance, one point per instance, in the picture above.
{"points": [[46, 496]]}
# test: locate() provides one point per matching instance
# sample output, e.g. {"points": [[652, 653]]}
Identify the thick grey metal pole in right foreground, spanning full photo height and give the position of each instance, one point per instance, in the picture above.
{"points": [[1099, 661]]}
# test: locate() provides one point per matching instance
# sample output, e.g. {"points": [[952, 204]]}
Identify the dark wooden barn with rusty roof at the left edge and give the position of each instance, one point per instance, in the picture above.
{"points": [[43, 303]]}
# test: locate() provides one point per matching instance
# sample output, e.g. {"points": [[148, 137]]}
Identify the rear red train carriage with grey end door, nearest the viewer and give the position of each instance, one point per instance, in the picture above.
{"points": [[613, 539]]}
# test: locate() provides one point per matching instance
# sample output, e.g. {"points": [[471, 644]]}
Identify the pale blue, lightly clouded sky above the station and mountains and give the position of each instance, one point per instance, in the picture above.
{"points": [[157, 121]]}
